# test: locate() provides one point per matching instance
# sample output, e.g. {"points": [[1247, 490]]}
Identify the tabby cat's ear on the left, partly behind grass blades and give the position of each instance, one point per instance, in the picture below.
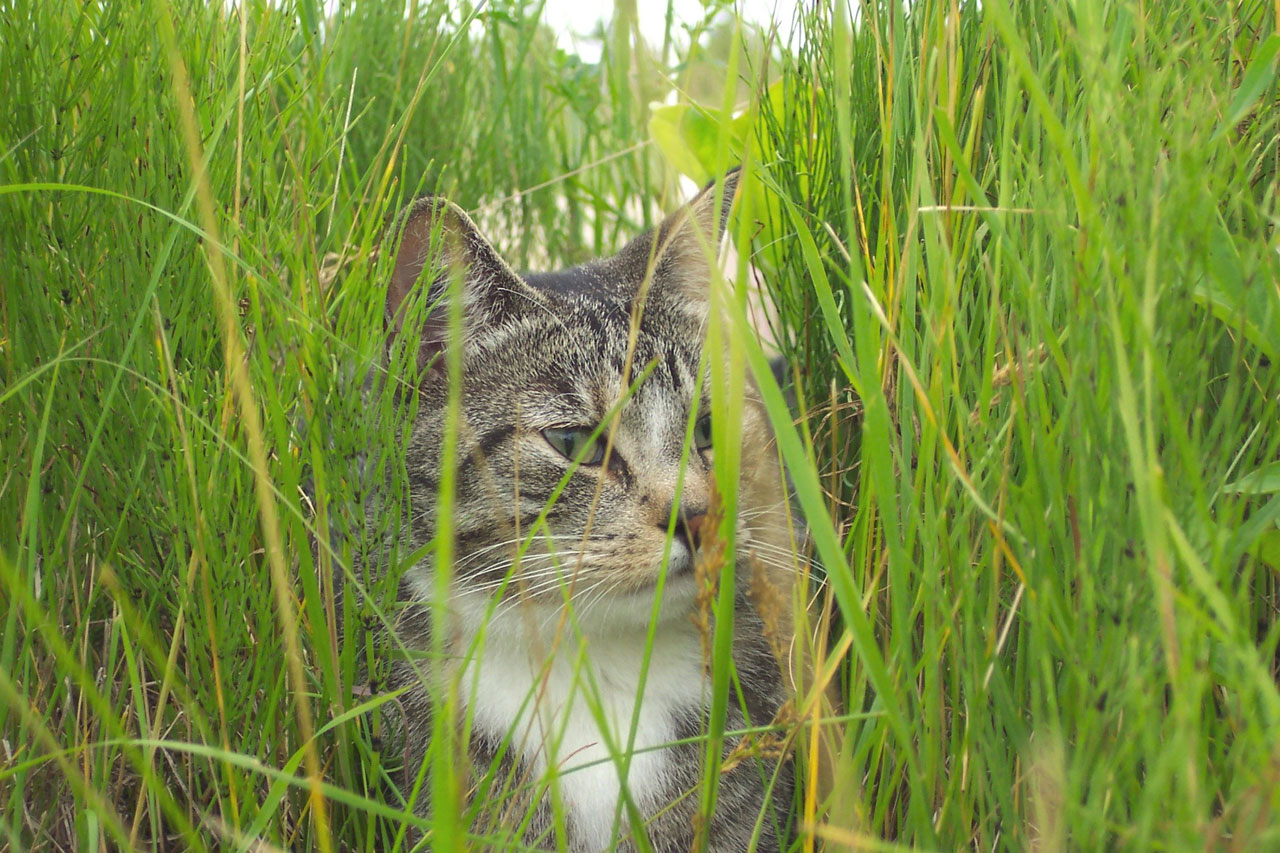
{"points": [[436, 241]]}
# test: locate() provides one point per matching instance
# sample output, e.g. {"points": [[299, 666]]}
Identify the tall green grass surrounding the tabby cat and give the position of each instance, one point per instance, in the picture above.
{"points": [[1026, 261]]}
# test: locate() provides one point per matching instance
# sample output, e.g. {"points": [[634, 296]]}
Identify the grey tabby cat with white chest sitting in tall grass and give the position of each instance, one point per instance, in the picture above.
{"points": [[584, 381]]}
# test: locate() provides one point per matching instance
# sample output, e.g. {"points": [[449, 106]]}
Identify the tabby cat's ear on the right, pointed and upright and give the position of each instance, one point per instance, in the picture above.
{"points": [[678, 257]]}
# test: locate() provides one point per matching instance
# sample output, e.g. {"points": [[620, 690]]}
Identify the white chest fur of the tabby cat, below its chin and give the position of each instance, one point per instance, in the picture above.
{"points": [[573, 706]]}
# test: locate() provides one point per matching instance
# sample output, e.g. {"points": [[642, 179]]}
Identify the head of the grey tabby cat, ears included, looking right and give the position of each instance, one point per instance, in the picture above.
{"points": [[580, 398]]}
